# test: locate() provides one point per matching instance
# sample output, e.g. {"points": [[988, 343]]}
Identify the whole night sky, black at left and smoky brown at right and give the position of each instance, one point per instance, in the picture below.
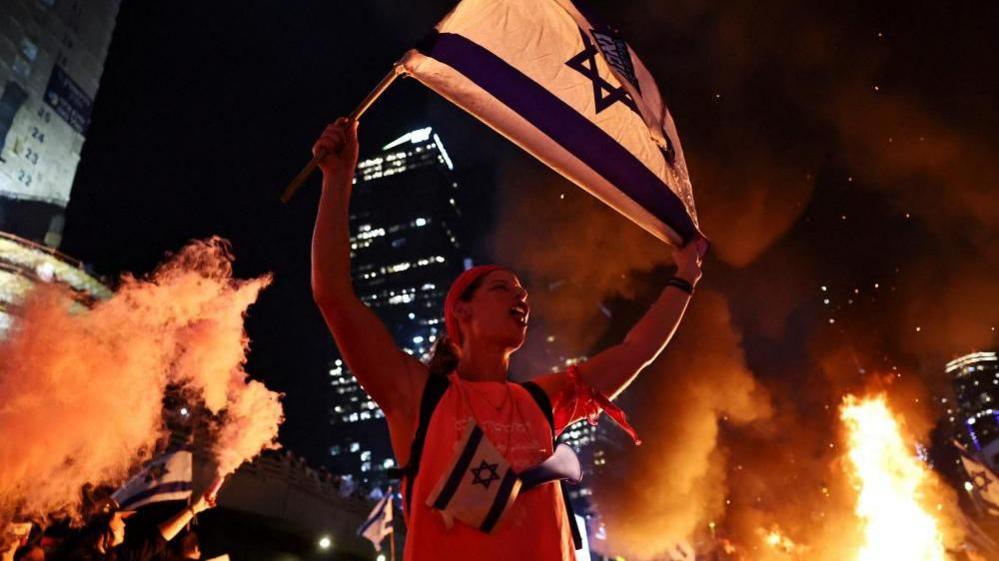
{"points": [[849, 146]]}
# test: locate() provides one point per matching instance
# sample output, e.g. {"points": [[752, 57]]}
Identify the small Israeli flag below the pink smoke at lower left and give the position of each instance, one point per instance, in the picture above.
{"points": [[166, 478]]}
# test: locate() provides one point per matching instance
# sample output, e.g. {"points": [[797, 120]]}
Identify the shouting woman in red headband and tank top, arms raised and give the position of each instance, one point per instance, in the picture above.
{"points": [[472, 441]]}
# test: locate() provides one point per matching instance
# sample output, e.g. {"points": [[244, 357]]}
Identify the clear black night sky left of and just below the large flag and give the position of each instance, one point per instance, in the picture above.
{"points": [[205, 112]]}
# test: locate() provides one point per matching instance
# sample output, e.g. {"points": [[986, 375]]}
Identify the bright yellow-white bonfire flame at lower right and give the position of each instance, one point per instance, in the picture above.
{"points": [[890, 481]]}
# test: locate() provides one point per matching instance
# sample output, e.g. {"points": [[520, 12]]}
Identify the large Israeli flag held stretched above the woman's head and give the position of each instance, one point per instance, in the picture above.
{"points": [[571, 92]]}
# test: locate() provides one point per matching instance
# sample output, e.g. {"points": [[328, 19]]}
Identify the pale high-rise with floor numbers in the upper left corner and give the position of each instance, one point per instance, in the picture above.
{"points": [[51, 60]]}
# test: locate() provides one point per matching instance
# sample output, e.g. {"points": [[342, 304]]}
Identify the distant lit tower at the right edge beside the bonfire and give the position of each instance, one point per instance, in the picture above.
{"points": [[976, 412]]}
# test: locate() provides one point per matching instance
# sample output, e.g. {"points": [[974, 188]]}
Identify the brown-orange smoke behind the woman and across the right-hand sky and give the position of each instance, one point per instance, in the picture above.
{"points": [[805, 176]]}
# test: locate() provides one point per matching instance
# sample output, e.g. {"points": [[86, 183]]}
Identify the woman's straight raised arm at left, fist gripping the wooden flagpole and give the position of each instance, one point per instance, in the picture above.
{"points": [[391, 377]]}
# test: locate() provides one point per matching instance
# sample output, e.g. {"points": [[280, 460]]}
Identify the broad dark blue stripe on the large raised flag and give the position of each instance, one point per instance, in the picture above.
{"points": [[563, 124]]}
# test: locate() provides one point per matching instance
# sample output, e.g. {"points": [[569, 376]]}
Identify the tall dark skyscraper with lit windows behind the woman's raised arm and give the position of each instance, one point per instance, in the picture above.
{"points": [[405, 251]]}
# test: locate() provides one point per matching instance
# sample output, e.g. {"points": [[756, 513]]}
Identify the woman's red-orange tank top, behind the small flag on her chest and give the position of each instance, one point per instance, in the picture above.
{"points": [[536, 526]]}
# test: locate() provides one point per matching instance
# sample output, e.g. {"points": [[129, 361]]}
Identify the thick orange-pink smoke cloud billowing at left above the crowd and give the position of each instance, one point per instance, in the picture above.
{"points": [[81, 393]]}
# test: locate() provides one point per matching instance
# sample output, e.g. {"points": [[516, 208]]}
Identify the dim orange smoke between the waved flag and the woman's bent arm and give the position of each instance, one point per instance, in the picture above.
{"points": [[572, 251]]}
